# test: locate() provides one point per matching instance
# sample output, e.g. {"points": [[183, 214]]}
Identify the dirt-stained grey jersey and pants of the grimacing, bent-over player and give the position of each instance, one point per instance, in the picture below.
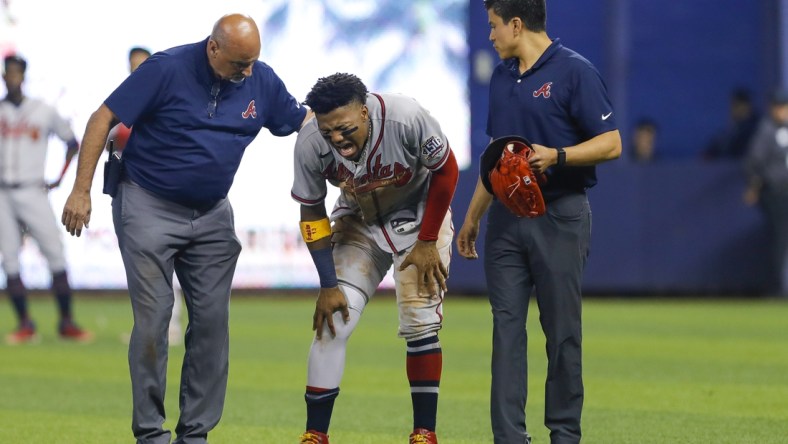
{"points": [[377, 217]]}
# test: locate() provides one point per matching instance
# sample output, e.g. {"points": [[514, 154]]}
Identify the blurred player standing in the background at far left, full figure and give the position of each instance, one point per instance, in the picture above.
{"points": [[25, 127]]}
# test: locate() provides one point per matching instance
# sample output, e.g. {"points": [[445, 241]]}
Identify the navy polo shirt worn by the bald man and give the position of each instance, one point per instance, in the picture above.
{"points": [[190, 129]]}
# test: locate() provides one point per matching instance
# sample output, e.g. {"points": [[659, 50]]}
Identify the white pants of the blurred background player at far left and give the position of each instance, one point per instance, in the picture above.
{"points": [[29, 205]]}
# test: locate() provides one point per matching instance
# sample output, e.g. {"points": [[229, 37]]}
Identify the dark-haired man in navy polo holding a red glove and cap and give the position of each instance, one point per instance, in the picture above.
{"points": [[554, 98]]}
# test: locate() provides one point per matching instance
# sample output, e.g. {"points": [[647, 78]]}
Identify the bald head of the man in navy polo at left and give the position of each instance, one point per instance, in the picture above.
{"points": [[233, 47]]}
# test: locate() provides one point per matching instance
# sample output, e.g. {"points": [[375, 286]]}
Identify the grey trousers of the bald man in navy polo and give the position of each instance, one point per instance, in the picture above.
{"points": [[157, 236]]}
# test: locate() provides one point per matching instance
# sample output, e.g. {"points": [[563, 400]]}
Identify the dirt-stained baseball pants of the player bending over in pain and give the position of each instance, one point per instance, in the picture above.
{"points": [[361, 265]]}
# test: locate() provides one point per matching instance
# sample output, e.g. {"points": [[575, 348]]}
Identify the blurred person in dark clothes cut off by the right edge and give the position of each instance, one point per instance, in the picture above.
{"points": [[766, 165]]}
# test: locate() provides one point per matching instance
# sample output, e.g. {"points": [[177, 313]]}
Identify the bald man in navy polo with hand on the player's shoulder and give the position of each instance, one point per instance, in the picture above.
{"points": [[194, 108]]}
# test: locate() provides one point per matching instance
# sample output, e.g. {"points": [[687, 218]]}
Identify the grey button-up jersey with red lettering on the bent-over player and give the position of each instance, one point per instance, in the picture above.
{"points": [[388, 185]]}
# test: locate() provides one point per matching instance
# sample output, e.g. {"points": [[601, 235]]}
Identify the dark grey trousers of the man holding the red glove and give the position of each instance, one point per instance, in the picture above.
{"points": [[549, 253]]}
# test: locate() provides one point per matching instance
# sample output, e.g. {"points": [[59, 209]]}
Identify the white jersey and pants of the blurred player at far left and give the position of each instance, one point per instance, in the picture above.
{"points": [[24, 139]]}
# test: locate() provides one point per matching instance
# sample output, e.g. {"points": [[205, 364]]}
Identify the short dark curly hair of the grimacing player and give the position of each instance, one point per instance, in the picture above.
{"points": [[334, 91]]}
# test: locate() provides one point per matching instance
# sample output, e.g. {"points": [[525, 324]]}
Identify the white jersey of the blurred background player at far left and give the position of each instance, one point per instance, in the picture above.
{"points": [[24, 138]]}
